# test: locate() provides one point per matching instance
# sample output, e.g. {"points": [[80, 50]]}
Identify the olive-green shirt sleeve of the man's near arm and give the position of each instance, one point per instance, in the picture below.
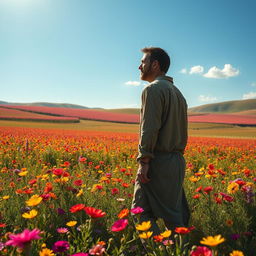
{"points": [[150, 121]]}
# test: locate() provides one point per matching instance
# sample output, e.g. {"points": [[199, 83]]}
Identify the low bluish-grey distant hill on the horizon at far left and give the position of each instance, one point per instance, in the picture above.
{"points": [[45, 104]]}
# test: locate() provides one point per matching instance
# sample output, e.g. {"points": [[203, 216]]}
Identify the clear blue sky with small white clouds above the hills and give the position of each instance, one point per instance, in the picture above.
{"points": [[87, 52]]}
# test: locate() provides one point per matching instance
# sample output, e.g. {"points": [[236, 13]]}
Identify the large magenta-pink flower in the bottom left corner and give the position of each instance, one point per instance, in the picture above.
{"points": [[20, 240]]}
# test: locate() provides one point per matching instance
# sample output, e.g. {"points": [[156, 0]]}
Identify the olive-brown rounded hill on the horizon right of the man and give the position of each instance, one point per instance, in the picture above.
{"points": [[226, 107]]}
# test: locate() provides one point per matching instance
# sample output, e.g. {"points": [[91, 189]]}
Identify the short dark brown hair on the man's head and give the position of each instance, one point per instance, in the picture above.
{"points": [[160, 55]]}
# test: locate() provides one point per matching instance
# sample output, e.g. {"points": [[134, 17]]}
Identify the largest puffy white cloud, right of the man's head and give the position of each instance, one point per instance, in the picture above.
{"points": [[227, 71]]}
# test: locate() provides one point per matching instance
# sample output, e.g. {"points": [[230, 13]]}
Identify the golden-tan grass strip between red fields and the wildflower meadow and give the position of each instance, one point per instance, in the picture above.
{"points": [[194, 129]]}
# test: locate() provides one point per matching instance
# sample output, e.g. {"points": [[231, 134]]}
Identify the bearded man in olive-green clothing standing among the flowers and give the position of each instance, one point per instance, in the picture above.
{"points": [[163, 138]]}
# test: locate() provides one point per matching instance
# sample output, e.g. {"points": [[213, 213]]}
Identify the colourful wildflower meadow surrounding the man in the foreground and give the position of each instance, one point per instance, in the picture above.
{"points": [[68, 192]]}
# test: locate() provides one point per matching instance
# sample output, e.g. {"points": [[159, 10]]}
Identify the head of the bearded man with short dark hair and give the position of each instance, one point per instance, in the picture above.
{"points": [[155, 62]]}
